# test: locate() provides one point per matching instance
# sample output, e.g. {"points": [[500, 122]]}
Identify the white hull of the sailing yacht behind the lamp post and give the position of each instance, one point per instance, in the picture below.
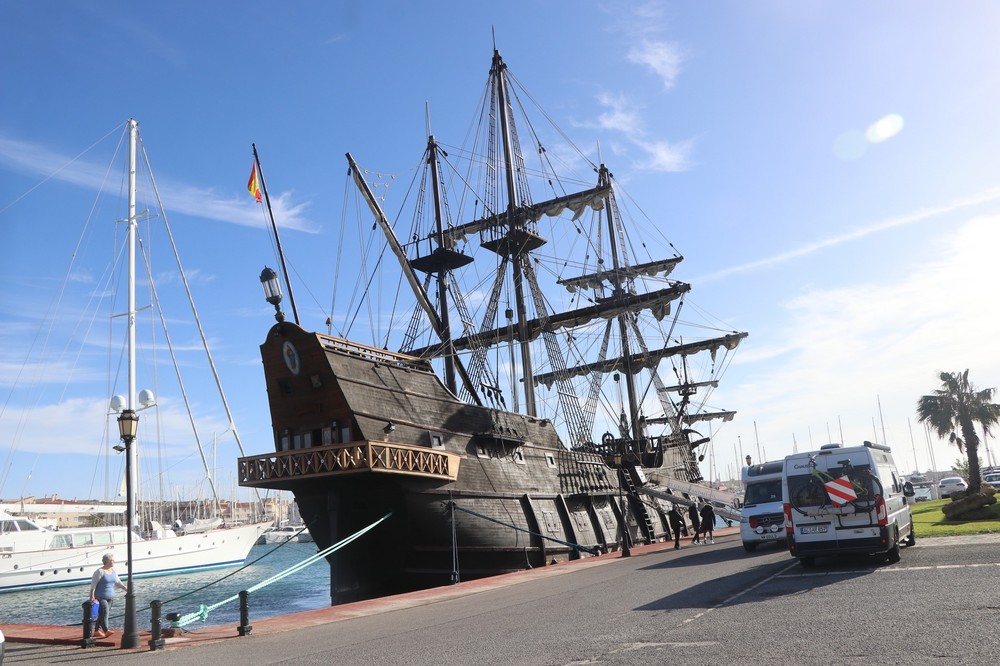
{"points": [[27, 562]]}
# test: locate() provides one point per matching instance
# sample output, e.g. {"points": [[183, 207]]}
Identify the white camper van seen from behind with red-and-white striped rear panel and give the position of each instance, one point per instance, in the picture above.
{"points": [[846, 500]]}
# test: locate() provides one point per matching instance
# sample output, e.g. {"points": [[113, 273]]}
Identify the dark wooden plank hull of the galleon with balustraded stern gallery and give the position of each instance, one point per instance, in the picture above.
{"points": [[363, 432]]}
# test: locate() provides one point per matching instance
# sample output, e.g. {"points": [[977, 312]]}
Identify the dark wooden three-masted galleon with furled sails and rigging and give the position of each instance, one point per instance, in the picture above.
{"points": [[581, 448]]}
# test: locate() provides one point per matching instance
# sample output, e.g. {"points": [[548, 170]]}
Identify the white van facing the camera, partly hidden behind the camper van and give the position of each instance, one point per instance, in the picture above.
{"points": [[762, 517]]}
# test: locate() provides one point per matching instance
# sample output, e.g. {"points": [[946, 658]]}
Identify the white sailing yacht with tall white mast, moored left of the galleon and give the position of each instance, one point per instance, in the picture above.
{"points": [[33, 556]]}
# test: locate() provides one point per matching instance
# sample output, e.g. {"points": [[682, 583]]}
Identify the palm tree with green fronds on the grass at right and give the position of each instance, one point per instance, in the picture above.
{"points": [[957, 407]]}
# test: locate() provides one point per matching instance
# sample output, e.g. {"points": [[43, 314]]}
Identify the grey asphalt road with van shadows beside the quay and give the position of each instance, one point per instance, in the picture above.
{"points": [[700, 605]]}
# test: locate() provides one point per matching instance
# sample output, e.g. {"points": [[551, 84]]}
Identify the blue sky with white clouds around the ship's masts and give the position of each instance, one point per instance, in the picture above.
{"points": [[828, 170]]}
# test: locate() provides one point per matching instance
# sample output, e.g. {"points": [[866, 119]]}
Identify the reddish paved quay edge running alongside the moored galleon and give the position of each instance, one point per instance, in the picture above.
{"points": [[72, 635]]}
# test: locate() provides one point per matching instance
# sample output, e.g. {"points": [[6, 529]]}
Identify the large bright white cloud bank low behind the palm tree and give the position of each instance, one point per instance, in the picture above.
{"points": [[844, 353]]}
